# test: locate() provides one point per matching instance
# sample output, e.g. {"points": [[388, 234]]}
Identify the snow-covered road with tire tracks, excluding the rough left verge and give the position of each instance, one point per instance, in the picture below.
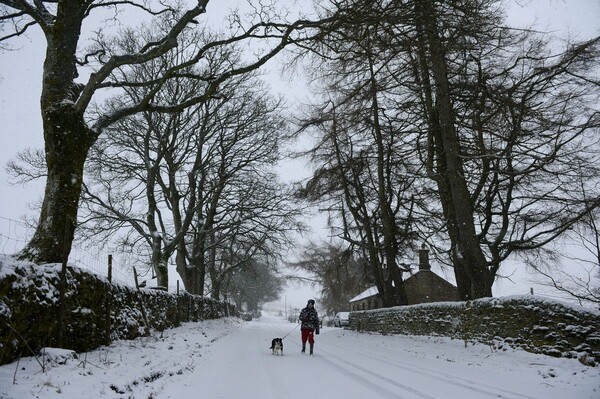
{"points": [[351, 365]]}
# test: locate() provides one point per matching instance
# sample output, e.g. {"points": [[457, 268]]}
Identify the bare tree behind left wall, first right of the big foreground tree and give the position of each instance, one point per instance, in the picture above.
{"points": [[143, 170]]}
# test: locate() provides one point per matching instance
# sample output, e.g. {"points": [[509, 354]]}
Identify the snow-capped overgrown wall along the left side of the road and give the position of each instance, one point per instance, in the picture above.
{"points": [[96, 312]]}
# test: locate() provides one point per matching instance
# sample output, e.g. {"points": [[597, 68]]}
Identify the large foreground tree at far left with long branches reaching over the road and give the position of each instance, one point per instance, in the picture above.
{"points": [[69, 129]]}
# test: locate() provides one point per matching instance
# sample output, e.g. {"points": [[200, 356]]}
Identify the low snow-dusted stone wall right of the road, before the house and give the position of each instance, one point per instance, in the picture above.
{"points": [[535, 325]]}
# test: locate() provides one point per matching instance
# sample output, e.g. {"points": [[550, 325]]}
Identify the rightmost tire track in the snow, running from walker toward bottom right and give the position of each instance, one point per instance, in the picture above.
{"points": [[449, 378]]}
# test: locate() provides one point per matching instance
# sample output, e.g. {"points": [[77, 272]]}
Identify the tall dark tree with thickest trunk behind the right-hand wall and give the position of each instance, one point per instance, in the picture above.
{"points": [[499, 119]]}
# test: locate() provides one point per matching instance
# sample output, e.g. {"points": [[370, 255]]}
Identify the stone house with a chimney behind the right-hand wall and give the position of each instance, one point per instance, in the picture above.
{"points": [[422, 287]]}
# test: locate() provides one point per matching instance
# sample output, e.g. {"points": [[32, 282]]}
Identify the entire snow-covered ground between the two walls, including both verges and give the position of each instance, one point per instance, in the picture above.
{"points": [[230, 359]]}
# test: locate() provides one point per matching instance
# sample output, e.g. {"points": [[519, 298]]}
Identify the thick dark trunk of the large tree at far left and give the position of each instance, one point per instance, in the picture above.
{"points": [[67, 142]]}
